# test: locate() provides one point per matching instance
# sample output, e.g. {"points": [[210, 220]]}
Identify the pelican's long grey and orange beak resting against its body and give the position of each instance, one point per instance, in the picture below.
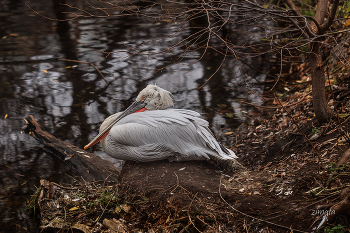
{"points": [[134, 107]]}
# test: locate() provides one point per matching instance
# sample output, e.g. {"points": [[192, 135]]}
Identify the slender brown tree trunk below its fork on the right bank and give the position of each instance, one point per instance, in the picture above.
{"points": [[318, 84]]}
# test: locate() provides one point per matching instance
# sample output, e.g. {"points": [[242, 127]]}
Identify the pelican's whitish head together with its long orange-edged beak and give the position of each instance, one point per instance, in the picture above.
{"points": [[150, 98]]}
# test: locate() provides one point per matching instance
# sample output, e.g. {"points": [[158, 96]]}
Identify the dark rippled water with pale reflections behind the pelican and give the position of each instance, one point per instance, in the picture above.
{"points": [[70, 99]]}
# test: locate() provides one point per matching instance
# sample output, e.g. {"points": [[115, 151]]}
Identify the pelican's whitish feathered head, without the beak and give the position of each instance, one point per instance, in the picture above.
{"points": [[155, 98]]}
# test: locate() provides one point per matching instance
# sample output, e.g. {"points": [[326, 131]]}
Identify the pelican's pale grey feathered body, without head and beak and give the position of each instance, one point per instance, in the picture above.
{"points": [[174, 134]]}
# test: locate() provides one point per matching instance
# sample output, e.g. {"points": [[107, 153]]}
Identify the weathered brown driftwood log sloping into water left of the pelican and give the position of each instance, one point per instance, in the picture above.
{"points": [[87, 166]]}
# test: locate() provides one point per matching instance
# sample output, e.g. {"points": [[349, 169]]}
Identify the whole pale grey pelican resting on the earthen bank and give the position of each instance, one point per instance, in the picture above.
{"points": [[151, 129]]}
